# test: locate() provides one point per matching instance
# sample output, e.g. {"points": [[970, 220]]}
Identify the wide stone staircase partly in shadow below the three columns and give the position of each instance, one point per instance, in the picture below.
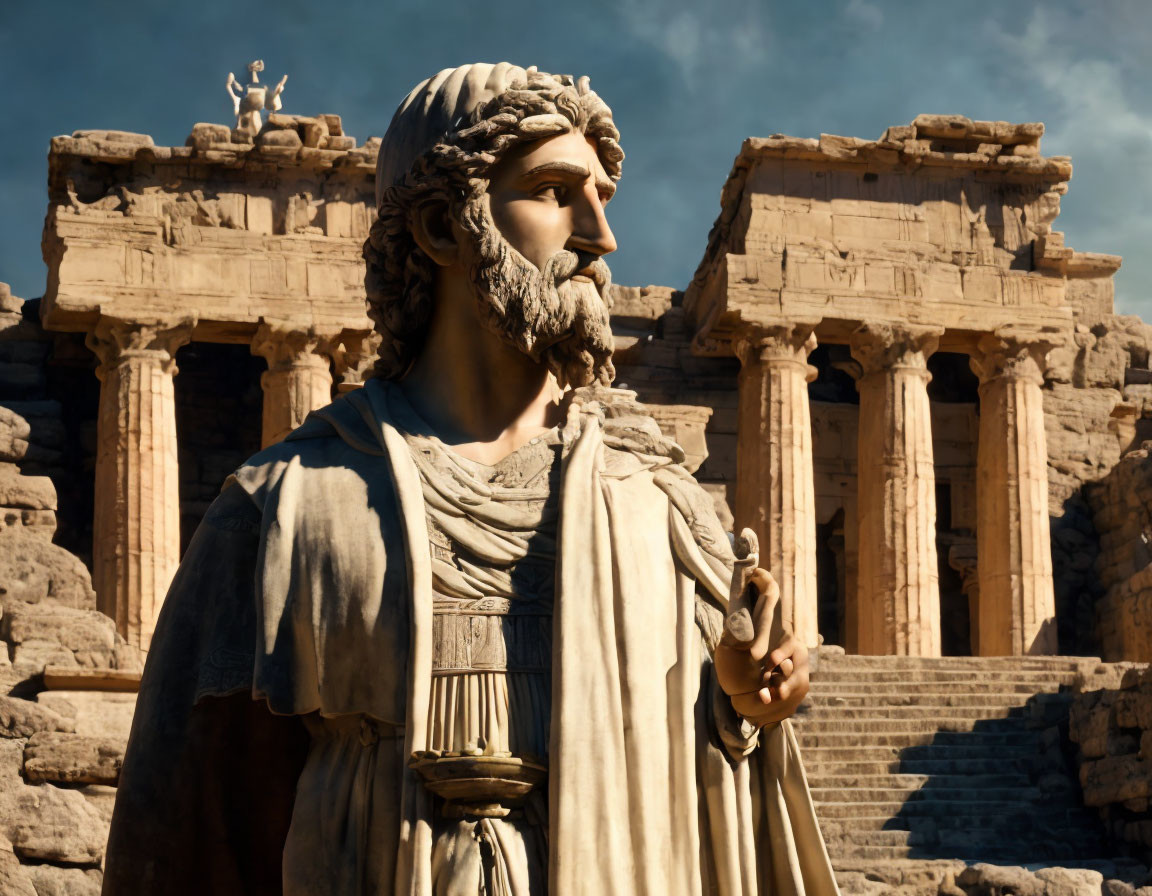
{"points": [[915, 761]]}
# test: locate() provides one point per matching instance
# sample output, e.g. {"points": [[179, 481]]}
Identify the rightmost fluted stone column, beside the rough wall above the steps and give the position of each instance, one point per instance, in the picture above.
{"points": [[1014, 553]]}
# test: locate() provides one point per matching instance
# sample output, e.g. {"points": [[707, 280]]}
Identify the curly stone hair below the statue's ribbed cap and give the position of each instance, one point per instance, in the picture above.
{"points": [[399, 275]]}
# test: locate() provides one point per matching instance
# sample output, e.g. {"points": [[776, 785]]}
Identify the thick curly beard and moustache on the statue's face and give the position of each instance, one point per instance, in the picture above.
{"points": [[544, 314]]}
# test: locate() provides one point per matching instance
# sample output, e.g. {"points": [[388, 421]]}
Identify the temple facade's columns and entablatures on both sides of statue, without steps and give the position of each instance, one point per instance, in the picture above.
{"points": [[867, 369]]}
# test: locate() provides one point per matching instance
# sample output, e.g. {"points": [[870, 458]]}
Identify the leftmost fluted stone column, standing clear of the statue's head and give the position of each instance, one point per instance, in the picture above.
{"points": [[137, 546]]}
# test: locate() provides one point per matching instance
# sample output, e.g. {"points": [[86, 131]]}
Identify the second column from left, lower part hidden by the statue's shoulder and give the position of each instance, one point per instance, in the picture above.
{"points": [[299, 378]]}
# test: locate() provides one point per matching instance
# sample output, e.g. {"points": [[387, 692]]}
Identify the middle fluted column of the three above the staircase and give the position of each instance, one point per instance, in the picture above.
{"points": [[898, 582]]}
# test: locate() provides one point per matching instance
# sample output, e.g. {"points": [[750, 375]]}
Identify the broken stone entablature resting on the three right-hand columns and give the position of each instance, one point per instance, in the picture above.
{"points": [[942, 223]]}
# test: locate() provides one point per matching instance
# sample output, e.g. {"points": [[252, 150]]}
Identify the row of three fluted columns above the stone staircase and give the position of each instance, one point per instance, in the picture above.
{"points": [[896, 609]]}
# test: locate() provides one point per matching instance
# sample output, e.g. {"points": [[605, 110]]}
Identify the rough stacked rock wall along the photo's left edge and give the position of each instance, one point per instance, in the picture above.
{"points": [[63, 733]]}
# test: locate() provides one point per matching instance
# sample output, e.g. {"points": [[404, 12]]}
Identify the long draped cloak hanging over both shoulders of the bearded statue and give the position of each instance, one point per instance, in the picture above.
{"points": [[308, 590]]}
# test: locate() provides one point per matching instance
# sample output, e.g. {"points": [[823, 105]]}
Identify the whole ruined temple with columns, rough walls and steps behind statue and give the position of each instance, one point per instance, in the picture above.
{"points": [[888, 365]]}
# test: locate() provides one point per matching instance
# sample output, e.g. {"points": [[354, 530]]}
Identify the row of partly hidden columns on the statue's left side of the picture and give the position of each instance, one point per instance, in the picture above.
{"points": [[137, 549]]}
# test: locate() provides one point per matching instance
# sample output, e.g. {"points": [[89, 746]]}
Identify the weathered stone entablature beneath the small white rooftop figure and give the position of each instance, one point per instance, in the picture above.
{"points": [[229, 232]]}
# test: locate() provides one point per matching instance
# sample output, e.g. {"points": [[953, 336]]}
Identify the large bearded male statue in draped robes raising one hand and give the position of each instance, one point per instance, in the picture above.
{"points": [[464, 632]]}
